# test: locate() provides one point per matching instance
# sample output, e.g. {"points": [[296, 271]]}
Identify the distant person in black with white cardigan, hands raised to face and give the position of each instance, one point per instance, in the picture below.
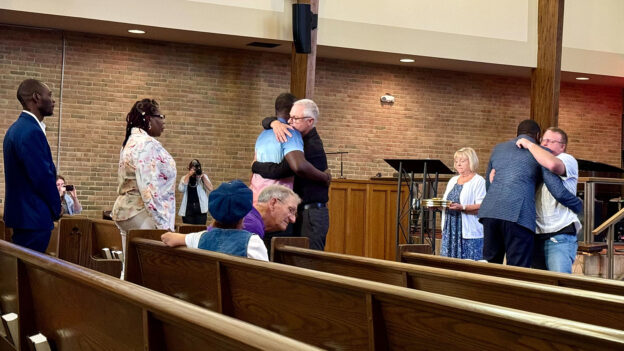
{"points": [[195, 186]]}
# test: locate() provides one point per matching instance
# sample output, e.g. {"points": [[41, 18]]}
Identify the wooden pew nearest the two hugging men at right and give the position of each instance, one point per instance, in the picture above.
{"points": [[518, 273]]}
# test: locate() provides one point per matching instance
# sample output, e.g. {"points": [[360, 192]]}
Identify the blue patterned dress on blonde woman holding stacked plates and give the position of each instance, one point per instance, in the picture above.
{"points": [[453, 245]]}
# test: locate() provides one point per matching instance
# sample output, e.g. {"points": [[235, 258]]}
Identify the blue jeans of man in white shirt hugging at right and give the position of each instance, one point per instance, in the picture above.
{"points": [[556, 253]]}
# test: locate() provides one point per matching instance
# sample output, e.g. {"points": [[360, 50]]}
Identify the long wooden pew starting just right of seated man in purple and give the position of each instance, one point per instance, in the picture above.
{"points": [[578, 305]]}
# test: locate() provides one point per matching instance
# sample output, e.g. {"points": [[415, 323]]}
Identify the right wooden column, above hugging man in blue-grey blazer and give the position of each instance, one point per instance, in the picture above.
{"points": [[545, 79]]}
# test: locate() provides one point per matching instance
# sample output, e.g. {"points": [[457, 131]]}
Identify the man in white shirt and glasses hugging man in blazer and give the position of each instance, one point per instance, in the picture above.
{"points": [[557, 226]]}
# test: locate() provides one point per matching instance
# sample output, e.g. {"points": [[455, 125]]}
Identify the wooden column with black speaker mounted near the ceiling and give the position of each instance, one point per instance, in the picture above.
{"points": [[303, 66]]}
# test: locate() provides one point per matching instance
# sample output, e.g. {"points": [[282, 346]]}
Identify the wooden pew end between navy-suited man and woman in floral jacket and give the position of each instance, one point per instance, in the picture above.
{"points": [[81, 240]]}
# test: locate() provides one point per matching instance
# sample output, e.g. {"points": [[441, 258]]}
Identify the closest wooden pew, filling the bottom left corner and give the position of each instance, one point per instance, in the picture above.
{"points": [[80, 309]]}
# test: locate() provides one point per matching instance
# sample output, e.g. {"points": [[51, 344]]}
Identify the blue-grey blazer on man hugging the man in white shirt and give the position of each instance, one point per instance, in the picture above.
{"points": [[511, 196]]}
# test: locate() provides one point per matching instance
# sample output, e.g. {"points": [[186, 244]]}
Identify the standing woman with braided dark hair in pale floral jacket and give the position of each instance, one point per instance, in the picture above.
{"points": [[146, 175]]}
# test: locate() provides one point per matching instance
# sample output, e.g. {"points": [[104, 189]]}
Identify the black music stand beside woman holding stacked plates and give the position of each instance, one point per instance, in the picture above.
{"points": [[407, 168]]}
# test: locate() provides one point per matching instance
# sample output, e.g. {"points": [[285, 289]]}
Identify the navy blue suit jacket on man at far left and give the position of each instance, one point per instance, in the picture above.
{"points": [[31, 198]]}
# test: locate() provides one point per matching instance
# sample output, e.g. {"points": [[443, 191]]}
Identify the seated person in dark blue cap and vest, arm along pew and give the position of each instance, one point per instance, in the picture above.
{"points": [[228, 205]]}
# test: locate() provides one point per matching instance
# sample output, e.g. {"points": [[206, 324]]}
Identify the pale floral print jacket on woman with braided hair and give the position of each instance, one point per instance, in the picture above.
{"points": [[147, 178]]}
